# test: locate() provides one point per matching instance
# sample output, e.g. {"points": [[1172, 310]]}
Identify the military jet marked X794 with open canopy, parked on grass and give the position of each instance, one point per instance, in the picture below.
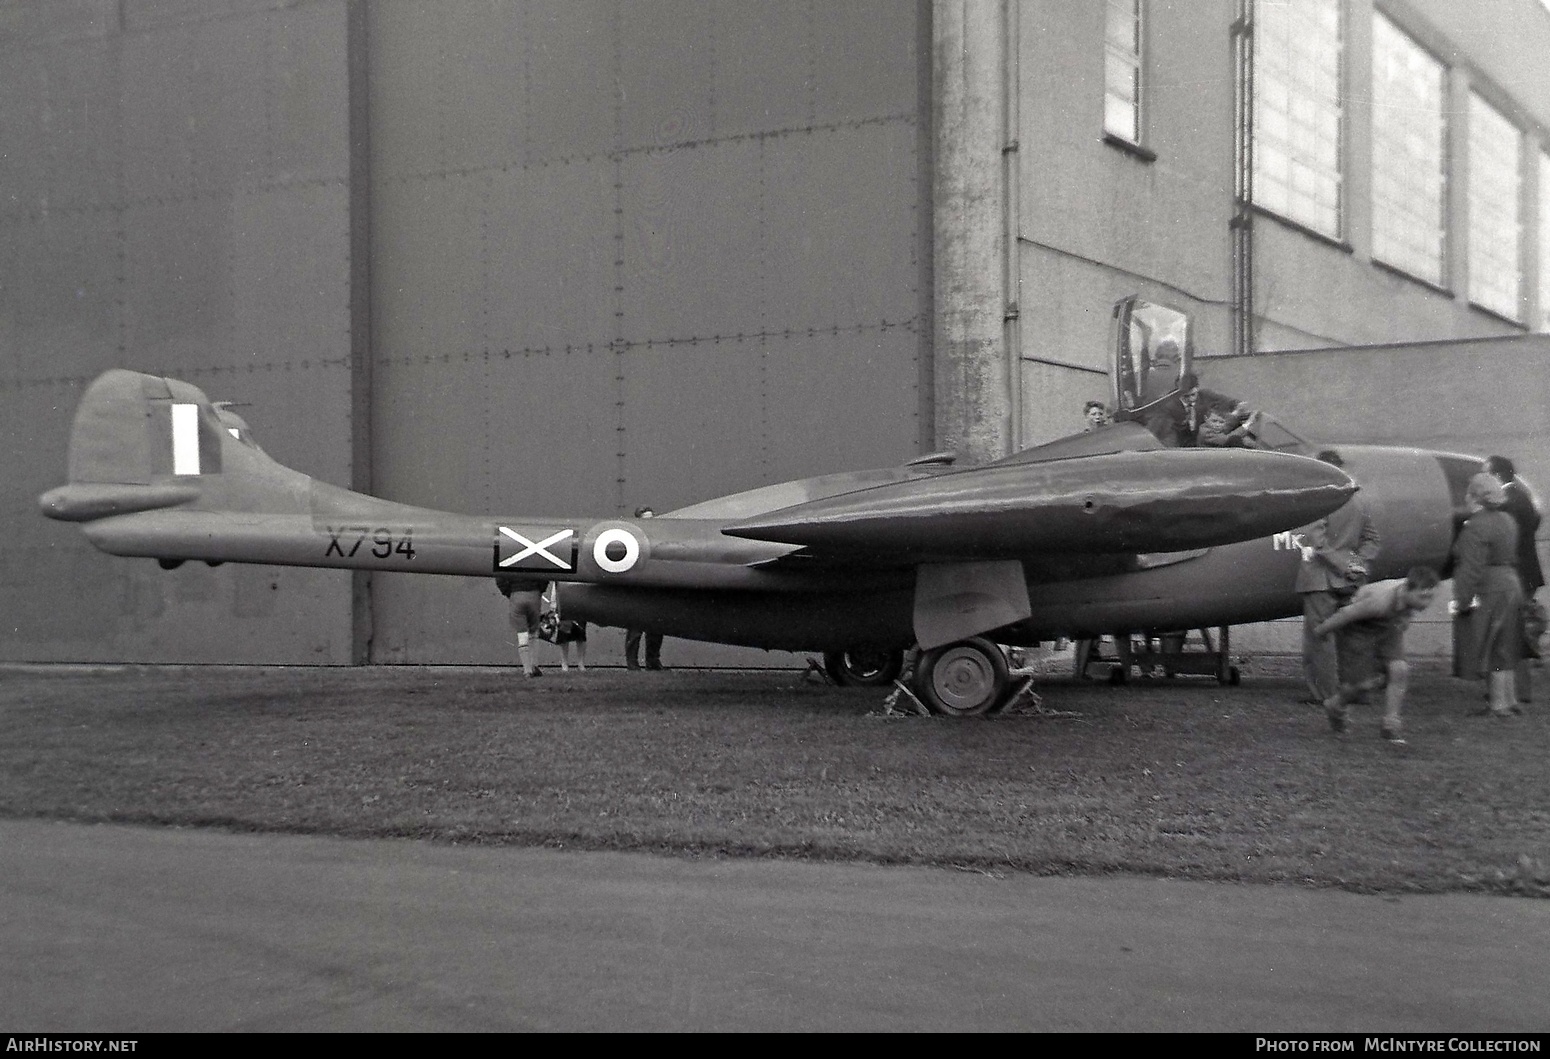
{"points": [[1081, 537]]}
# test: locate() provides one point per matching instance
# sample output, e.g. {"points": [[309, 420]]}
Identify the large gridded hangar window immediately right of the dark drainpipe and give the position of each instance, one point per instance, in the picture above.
{"points": [[1298, 112]]}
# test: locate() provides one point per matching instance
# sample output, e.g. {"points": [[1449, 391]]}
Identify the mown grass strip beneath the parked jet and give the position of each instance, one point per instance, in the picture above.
{"points": [[1185, 781]]}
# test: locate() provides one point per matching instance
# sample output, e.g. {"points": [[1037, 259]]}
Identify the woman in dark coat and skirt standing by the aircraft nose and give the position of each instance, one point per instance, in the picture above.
{"points": [[1486, 582]]}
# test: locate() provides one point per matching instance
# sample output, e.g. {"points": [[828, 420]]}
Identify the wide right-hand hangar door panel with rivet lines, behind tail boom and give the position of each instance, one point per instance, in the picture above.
{"points": [[636, 254]]}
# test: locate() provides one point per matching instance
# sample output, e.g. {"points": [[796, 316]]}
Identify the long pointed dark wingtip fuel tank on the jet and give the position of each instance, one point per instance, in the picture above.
{"points": [[1154, 502]]}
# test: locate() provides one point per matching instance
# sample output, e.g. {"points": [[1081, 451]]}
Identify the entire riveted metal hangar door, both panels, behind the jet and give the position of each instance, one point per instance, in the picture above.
{"points": [[619, 254]]}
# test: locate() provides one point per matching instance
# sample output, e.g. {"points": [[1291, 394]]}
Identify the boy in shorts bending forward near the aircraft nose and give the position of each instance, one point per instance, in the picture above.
{"points": [[1371, 641]]}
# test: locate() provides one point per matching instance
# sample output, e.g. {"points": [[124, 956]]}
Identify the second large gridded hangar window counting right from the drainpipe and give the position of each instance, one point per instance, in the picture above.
{"points": [[1408, 173]]}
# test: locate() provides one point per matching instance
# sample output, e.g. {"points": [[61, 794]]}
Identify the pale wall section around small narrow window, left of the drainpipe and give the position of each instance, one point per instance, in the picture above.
{"points": [[1100, 222]]}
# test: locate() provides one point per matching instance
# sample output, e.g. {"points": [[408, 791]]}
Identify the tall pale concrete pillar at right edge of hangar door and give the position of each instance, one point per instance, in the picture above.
{"points": [[973, 365]]}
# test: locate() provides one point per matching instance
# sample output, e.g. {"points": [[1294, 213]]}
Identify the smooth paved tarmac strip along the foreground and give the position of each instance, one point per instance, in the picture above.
{"points": [[131, 930]]}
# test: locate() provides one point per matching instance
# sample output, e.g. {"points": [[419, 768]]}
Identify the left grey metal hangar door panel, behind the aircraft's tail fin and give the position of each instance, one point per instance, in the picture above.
{"points": [[176, 199]]}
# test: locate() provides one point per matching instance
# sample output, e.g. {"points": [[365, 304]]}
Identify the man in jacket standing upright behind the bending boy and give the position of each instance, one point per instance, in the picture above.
{"points": [[1337, 559]]}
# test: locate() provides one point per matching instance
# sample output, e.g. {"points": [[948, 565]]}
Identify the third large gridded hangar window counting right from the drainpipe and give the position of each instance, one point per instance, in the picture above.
{"points": [[1493, 210]]}
